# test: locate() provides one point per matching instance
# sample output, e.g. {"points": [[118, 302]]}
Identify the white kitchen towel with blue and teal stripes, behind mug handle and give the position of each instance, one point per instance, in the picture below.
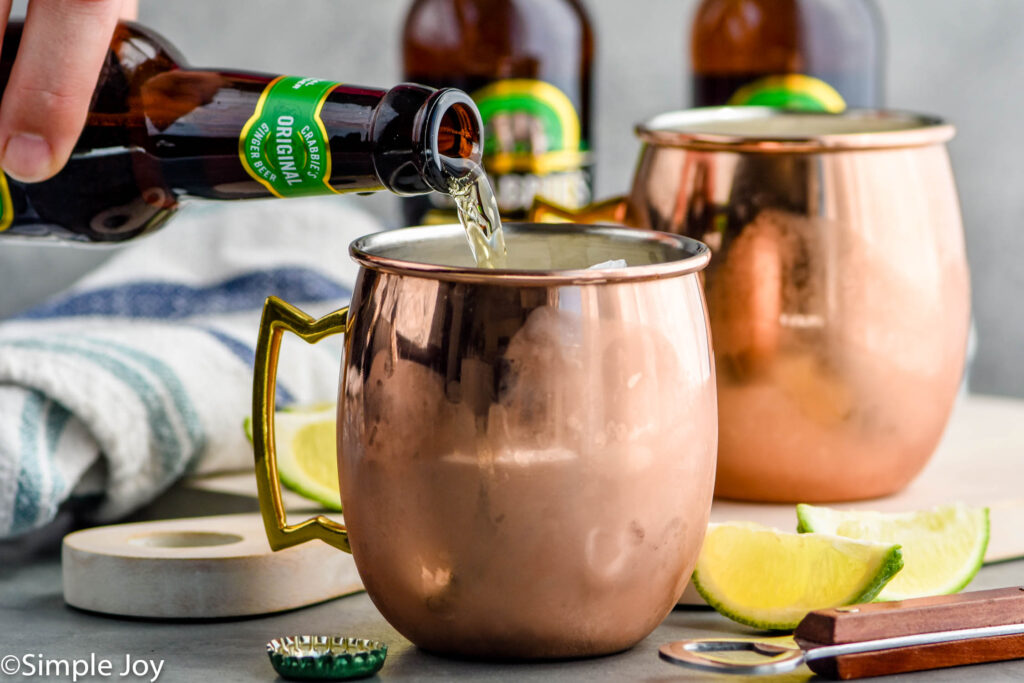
{"points": [[143, 371]]}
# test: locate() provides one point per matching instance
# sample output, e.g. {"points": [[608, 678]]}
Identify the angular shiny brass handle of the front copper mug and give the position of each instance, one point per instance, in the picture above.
{"points": [[278, 318]]}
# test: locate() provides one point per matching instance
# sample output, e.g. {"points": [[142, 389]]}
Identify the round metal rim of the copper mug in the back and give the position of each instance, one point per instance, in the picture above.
{"points": [[690, 130]]}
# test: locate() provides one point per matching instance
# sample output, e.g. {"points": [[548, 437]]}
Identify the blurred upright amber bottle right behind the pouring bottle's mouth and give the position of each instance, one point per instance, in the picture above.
{"points": [[528, 64]]}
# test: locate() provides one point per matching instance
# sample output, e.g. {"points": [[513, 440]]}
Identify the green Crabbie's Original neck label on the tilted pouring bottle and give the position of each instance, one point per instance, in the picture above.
{"points": [[284, 146]]}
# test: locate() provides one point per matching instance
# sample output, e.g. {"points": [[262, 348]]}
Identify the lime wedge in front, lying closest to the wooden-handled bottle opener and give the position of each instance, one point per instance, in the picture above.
{"points": [[770, 579]]}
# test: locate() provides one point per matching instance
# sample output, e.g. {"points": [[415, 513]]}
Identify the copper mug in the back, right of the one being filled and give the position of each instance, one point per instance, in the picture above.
{"points": [[838, 289]]}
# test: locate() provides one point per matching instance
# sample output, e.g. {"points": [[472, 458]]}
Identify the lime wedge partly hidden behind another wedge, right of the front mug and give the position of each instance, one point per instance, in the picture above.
{"points": [[944, 547]]}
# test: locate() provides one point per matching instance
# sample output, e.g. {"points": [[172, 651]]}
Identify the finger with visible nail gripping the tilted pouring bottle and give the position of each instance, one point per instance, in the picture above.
{"points": [[48, 98]]}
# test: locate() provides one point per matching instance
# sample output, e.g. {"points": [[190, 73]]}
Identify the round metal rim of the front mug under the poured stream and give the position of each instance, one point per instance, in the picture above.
{"points": [[365, 251]]}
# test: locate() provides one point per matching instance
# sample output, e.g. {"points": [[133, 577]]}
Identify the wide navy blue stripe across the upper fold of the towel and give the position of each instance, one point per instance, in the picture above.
{"points": [[177, 302]]}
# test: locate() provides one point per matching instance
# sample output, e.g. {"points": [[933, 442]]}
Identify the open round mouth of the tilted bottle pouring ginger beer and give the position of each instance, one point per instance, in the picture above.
{"points": [[454, 127]]}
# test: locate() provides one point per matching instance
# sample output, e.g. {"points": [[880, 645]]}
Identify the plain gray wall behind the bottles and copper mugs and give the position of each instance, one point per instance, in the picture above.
{"points": [[962, 60]]}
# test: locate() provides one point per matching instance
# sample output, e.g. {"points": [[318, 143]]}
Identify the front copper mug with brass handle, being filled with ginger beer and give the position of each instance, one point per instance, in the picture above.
{"points": [[527, 456]]}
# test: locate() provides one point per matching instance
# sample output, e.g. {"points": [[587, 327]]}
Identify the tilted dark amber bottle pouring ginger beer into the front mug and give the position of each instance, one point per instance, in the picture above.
{"points": [[159, 133]]}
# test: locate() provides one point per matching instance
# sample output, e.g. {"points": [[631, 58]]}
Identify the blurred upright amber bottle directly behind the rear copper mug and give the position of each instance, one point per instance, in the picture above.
{"points": [[809, 55]]}
